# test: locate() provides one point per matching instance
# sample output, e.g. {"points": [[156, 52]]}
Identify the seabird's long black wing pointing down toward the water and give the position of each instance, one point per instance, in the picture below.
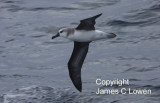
{"points": [[76, 61]]}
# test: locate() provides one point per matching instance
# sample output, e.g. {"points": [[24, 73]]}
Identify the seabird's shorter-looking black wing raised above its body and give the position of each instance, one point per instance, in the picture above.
{"points": [[88, 24]]}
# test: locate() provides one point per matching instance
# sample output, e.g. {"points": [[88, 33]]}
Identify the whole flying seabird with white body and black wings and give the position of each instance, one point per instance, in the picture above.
{"points": [[82, 36]]}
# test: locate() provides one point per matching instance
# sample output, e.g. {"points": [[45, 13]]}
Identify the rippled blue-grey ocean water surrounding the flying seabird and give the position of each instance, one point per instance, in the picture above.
{"points": [[33, 68]]}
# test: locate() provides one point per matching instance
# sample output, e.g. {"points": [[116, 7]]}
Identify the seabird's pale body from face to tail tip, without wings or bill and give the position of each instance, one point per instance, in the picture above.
{"points": [[84, 35]]}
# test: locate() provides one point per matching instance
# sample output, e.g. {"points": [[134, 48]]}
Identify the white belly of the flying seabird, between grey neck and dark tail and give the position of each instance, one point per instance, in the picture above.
{"points": [[87, 36]]}
